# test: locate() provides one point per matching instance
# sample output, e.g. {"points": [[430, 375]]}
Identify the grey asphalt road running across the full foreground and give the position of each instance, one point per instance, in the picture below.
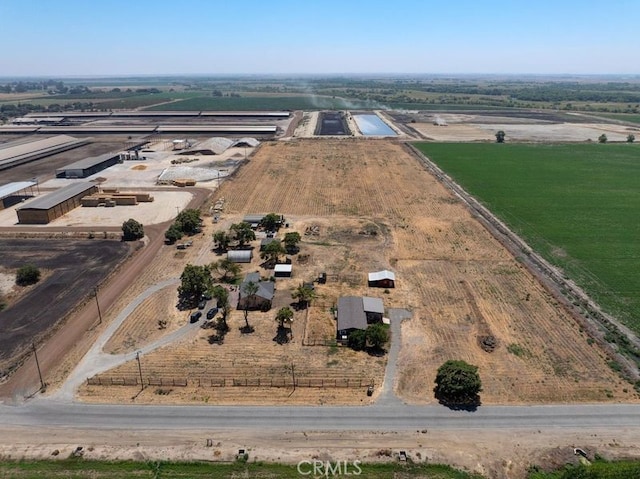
{"points": [[46, 412]]}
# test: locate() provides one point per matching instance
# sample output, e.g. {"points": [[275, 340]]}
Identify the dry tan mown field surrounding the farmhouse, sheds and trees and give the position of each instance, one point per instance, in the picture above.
{"points": [[368, 204]]}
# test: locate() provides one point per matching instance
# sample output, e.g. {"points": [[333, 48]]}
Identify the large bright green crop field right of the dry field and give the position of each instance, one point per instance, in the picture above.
{"points": [[578, 205]]}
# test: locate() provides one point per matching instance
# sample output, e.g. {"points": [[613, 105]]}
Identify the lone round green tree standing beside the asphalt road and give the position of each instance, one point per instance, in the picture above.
{"points": [[458, 382]]}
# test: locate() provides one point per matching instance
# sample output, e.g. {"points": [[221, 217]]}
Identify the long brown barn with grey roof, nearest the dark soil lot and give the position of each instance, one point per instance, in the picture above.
{"points": [[46, 208]]}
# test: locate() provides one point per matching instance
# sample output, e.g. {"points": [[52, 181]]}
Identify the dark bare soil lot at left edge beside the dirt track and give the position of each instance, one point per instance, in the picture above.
{"points": [[74, 267]]}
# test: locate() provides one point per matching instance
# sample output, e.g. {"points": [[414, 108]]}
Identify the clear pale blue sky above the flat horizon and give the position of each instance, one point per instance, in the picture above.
{"points": [[116, 37]]}
